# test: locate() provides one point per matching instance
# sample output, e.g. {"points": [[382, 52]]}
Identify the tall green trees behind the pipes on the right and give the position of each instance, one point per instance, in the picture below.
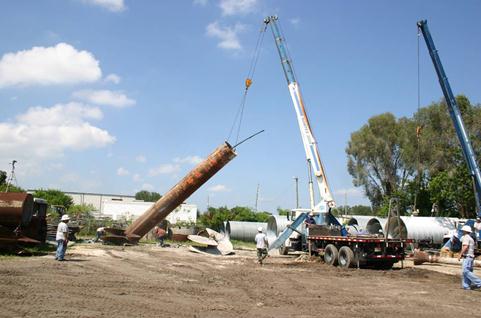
{"points": [[416, 159]]}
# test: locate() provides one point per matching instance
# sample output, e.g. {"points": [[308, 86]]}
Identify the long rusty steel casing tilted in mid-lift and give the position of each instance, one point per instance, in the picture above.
{"points": [[180, 192]]}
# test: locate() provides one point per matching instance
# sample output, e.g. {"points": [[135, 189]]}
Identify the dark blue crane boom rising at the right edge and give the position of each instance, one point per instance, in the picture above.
{"points": [[455, 114]]}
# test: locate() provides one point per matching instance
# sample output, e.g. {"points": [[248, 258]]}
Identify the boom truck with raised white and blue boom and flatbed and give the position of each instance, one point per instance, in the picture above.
{"points": [[327, 237]]}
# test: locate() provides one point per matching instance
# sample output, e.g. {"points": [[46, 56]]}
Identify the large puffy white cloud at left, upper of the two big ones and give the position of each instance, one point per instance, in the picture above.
{"points": [[60, 64]]}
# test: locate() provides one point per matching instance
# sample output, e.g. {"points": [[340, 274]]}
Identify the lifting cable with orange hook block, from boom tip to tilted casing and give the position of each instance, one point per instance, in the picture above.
{"points": [[240, 112]]}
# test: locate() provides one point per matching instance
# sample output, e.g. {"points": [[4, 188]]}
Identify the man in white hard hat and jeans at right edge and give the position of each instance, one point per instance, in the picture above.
{"points": [[469, 280]]}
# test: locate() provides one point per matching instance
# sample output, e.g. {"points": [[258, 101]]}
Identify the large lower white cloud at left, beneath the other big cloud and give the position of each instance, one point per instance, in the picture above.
{"points": [[46, 132]]}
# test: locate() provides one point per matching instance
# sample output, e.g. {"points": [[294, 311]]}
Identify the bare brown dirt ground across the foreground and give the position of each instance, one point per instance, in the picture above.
{"points": [[148, 281]]}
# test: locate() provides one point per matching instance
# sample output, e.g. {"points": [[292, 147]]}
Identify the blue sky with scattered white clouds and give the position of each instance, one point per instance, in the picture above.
{"points": [[116, 96]]}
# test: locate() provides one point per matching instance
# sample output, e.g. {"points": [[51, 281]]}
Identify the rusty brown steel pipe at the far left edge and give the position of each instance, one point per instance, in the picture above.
{"points": [[15, 208]]}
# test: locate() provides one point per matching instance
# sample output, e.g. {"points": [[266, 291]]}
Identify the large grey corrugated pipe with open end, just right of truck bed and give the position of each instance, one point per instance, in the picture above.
{"points": [[420, 228]]}
